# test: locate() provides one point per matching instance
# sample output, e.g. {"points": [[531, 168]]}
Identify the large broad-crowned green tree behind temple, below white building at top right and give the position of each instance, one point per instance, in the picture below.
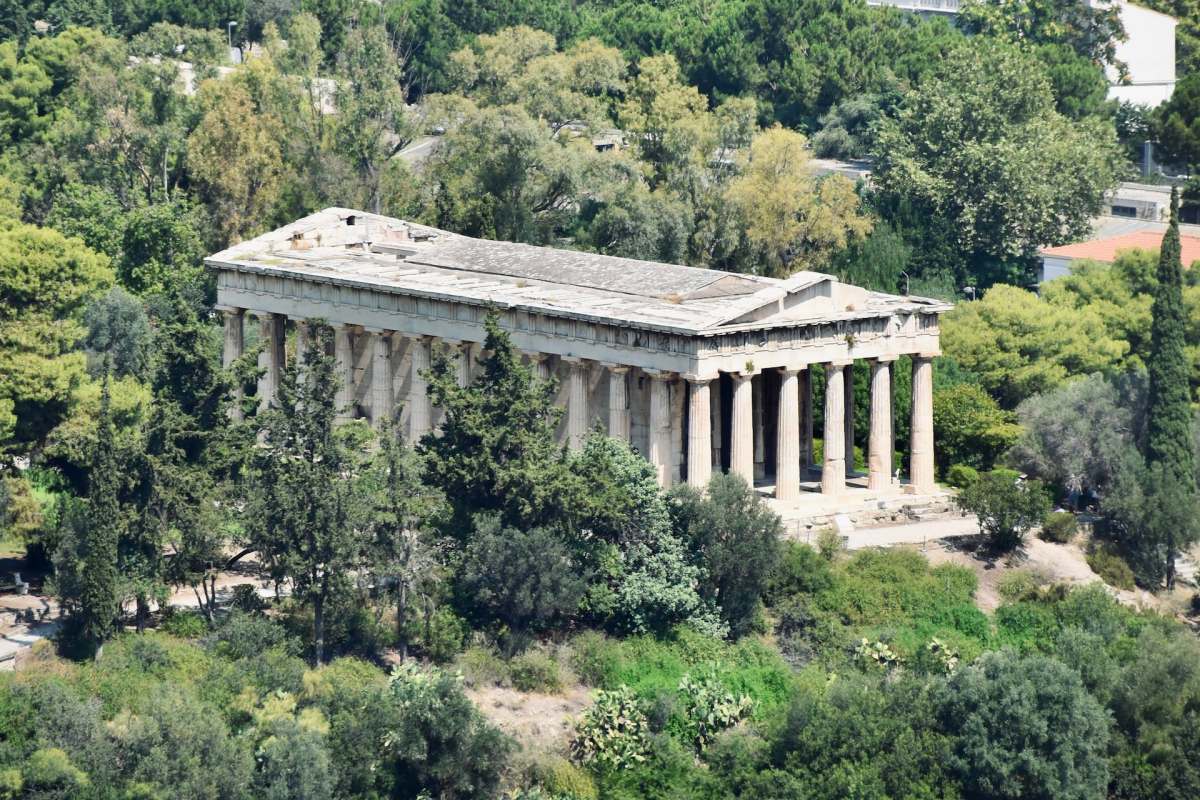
{"points": [[979, 143]]}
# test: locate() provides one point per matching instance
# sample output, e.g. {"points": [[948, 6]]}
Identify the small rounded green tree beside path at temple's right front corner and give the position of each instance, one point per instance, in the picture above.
{"points": [[1007, 508]]}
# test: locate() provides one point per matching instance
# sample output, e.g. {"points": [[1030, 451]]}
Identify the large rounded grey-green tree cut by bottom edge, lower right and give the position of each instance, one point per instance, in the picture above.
{"points": [[1024, 729]]}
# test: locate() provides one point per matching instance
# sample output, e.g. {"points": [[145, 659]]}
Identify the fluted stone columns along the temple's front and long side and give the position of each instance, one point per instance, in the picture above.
{"points": [[794, 429]]}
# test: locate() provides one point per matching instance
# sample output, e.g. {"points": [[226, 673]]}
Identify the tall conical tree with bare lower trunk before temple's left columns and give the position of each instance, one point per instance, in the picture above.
{"points": [[305, 515]]}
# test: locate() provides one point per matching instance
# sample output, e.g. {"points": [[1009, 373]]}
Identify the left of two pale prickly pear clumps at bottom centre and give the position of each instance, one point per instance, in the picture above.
{"points": [[614, 732]]}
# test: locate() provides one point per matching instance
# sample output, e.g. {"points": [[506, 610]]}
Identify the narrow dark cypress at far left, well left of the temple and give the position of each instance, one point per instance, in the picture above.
{"points": [[99, 599]]}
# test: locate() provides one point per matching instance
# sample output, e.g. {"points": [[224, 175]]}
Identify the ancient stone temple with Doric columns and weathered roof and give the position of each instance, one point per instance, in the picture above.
{"points": [[699, 370]]}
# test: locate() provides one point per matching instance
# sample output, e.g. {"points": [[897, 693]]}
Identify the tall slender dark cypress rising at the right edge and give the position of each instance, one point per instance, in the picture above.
{"points": [[1169, 441]]}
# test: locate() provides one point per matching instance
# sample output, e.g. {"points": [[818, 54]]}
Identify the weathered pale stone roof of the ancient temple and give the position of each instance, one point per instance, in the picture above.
{"points": [[370, 251]]}
